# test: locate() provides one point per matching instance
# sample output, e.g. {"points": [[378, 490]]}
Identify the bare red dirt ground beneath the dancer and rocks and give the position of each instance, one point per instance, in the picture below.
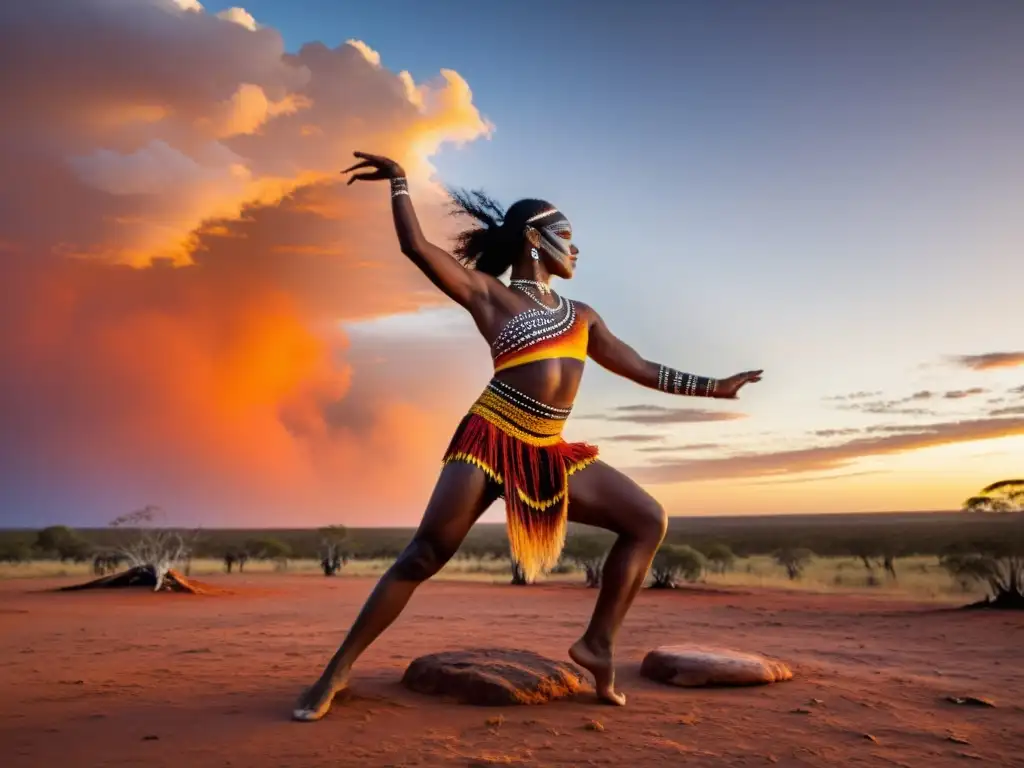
{"points": [[134, 679]]}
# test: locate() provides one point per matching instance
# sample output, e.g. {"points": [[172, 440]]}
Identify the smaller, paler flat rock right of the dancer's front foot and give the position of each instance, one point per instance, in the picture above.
{"points": [[693, 667]]}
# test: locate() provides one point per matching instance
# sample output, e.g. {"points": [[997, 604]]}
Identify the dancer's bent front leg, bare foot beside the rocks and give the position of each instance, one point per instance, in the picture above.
{"points": [[605, 498]]}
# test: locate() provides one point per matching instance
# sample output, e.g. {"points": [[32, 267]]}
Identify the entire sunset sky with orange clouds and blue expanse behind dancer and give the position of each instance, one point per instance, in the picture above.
{"points": [[199, 316]]}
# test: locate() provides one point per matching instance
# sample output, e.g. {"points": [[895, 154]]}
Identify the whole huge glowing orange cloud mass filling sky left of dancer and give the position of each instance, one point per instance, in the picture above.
{"points": [[185, 258]]}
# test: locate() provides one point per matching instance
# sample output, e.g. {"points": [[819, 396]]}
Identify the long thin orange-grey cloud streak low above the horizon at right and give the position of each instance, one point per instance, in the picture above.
{"points": [[829, 457]]}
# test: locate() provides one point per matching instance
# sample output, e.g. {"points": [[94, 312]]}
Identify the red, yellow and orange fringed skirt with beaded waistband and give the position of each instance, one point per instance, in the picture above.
{"points": [[518, 442]]}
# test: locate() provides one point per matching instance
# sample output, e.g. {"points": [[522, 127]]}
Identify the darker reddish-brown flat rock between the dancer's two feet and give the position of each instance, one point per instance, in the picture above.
{"points": [[494, 677]]}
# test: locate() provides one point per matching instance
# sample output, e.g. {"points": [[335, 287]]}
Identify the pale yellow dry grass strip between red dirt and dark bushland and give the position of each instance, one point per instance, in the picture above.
{"points": [[919, 578]]}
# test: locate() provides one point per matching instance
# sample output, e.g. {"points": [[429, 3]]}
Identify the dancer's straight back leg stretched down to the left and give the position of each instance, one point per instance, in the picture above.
{"points": [[462, 495]]}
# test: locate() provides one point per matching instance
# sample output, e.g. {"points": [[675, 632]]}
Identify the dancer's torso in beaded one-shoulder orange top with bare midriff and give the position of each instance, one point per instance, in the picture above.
{"points": [[541, 352]]}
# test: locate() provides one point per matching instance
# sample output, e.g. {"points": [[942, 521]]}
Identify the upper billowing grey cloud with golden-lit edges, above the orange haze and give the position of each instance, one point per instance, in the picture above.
{"points": [[141, 121]]}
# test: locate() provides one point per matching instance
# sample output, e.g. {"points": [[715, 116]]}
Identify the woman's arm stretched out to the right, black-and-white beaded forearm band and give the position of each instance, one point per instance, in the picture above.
{"points": [[613, 354]]}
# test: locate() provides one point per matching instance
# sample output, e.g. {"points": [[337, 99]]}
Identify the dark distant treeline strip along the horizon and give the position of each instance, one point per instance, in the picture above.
{"points": [[894, 535]]}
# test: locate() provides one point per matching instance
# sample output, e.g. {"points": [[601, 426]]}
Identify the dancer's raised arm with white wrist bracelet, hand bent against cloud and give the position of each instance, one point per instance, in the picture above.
{"points": [[464, 286]]}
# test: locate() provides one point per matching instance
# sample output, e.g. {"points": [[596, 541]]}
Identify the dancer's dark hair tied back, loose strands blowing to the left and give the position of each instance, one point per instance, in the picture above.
{"points": [[495, 245]]}
